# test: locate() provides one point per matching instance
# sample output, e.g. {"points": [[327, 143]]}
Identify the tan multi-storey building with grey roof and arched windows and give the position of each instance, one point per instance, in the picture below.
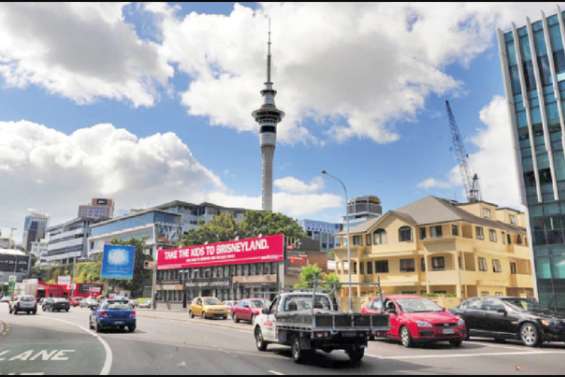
{"points": [[437, 246]]}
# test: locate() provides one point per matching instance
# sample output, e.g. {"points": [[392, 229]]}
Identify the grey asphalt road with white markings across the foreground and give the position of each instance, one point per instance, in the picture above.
{"points": [[60, 343]]}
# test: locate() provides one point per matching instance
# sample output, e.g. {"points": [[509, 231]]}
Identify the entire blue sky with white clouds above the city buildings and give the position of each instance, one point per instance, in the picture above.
{"points": [[147, 103]]}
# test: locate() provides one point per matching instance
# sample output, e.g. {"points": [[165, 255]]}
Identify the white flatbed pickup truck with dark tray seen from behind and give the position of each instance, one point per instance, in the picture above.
{"points": [[308, 321]]}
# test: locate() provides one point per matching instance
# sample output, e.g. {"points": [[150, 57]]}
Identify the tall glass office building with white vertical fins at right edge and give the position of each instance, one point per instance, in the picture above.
{"points": [[533, 66]]}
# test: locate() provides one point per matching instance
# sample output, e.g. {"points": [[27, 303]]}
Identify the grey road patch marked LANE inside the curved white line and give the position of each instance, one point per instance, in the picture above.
{"points": [[40, 345]]}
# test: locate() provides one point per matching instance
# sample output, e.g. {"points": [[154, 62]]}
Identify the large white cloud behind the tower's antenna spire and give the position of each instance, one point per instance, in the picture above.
{"points": [[356, 69]]}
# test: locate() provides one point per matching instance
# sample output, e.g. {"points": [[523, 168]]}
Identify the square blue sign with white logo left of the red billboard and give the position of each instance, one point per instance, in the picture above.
{"points": [[118, 262]]}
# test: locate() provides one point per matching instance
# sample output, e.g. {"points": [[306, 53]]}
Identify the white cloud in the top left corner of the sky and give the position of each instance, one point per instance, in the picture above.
{"points": [[80, 51]]}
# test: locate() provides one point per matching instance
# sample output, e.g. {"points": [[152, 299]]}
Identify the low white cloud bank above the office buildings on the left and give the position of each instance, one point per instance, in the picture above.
{"points": [[55, 172]]}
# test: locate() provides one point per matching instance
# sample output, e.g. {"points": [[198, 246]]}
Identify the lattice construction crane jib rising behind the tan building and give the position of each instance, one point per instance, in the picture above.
{"points": [[471, 184]]}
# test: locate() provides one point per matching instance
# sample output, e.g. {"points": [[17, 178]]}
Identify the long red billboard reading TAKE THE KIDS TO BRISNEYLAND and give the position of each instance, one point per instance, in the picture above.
{"points": [[245, 251]]}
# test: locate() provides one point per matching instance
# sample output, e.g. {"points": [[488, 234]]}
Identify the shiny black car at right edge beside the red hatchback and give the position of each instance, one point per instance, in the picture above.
{"points": [[519, 318]]}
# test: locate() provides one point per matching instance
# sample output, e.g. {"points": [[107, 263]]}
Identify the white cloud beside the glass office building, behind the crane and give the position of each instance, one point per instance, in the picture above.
{"points": [[494, 160]]}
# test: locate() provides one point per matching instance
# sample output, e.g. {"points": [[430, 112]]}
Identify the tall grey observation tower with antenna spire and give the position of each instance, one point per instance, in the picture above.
{"points": [[268, 116]]}
